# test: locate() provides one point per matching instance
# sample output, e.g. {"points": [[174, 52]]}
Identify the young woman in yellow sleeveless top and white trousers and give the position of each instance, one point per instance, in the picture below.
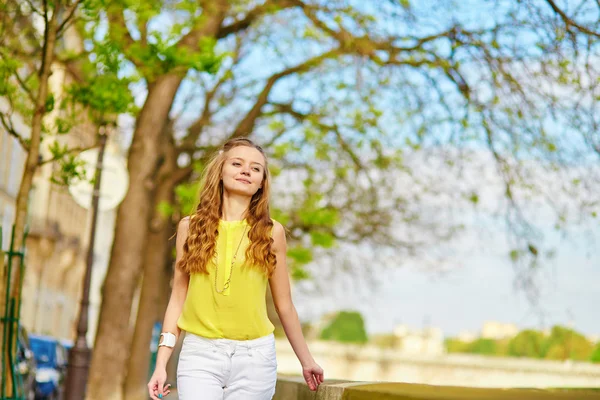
{"points": [[226, 251]]}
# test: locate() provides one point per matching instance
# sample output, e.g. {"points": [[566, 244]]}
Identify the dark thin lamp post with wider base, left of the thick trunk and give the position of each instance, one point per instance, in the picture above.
{"points": [[80, 354]]}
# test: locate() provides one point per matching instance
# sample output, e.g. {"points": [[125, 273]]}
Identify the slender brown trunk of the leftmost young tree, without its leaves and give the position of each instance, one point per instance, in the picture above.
{"points": [[31, 164]]}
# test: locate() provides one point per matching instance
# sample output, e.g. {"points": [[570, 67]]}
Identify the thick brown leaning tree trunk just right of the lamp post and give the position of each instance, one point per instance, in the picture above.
{"points": [[111, 350]]}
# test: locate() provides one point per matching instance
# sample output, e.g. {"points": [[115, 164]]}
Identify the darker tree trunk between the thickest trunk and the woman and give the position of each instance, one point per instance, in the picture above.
{"points": [[156, 281]]}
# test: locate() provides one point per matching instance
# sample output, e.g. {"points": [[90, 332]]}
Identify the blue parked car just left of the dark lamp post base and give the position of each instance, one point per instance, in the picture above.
{"points": [[50, 356]]}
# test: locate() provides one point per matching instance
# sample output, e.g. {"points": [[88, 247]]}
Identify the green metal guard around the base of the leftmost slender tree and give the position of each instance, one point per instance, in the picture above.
{"points": [[9, 321]]}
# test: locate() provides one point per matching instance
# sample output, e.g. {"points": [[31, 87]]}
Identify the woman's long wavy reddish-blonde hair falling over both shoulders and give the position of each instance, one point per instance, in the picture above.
{"points": [[200, 246]]}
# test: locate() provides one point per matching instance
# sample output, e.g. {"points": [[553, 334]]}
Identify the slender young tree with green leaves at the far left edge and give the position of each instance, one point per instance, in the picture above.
{"points": [[27, 56]]}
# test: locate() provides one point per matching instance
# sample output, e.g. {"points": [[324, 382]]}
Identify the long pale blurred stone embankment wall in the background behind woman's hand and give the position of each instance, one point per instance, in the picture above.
{"points": [[367, 363]]}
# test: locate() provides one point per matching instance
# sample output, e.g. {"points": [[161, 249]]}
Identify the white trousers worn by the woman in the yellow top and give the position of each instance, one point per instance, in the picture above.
{"points": [[224, 369]]}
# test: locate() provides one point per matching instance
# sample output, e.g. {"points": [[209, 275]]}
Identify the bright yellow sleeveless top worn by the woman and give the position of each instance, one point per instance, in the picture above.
{"points": [[240, 312]]}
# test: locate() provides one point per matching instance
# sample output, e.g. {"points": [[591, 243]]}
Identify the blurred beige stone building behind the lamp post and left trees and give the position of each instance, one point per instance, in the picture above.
{"points": [[58, 235]]}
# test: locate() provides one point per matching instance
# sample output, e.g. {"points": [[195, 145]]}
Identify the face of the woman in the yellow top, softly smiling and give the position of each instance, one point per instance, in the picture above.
{"points": [[243, 170]]}
